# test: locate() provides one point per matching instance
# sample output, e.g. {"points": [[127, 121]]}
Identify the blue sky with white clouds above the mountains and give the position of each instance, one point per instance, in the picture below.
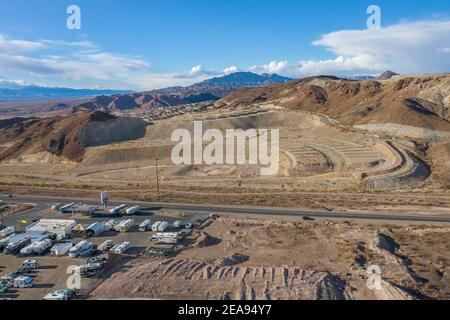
{"points": [[146, 44]]}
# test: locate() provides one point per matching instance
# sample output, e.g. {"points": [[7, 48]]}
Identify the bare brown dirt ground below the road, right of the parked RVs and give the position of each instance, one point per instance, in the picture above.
{"points": [[266, 259]]}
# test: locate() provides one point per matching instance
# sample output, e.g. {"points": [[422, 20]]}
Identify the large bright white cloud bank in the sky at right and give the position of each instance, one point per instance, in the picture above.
{"points": [[408, 47]]}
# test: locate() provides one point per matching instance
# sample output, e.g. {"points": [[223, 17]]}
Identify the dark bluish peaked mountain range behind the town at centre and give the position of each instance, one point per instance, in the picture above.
{"points": [[208, 90]]}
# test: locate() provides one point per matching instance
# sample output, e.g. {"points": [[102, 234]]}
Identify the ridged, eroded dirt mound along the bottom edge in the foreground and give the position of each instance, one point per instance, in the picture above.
{"points": [[207, 280]]}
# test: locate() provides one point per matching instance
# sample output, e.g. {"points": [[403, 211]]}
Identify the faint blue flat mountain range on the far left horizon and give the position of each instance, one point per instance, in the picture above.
{"points": [[28, 93]]}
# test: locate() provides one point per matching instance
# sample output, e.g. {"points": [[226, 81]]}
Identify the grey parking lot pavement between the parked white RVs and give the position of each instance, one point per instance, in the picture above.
{"points": [[53, 272]]}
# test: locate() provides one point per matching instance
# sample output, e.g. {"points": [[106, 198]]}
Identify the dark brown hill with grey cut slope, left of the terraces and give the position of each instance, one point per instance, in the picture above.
{"points": [[67, 137]]}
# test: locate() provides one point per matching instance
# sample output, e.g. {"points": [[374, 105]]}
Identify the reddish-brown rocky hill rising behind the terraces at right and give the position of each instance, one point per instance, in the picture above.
{"points": [[416, 101]]}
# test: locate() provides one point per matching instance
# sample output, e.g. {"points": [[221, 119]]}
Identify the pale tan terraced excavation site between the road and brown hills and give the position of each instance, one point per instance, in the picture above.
{"points": [[323, 164]]}
